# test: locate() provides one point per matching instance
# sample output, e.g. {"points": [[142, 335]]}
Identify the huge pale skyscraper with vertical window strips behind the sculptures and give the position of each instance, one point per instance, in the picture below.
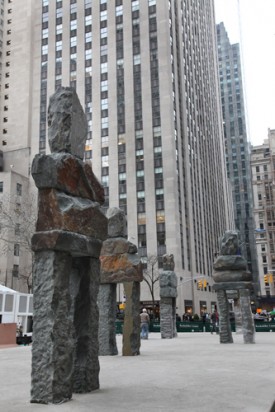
{"points": [[146, 74]]}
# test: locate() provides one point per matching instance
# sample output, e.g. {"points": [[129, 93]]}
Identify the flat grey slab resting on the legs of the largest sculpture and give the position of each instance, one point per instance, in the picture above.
{"points": [[75, 244]]}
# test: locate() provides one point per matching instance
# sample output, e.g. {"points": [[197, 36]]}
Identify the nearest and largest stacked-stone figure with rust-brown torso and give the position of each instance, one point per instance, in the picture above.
{"points": [[71, 227]]}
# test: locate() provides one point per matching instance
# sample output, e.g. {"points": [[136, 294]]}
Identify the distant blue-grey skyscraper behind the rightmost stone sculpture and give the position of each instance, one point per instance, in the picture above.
{"points": [[237, 145]]}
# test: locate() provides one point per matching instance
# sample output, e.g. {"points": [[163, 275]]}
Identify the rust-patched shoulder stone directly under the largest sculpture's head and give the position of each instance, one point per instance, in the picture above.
{"points": [[66, 173]]}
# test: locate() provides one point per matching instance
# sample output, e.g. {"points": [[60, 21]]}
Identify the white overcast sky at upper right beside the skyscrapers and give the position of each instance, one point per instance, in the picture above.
{"points": [[254, 28]]}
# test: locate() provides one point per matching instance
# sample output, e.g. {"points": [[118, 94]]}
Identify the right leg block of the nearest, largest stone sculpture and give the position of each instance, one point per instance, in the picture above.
{"points": [[86, 363]]}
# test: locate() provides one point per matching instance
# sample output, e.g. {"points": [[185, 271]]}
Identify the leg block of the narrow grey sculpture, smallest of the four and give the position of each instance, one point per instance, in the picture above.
{"points": [[168, 318]]}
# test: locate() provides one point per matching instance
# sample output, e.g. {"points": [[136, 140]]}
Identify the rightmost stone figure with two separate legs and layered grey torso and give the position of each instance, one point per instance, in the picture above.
{"points": [[231, 274]]}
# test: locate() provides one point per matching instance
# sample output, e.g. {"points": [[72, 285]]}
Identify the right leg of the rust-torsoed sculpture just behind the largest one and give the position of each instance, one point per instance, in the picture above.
{"points": [[131, 328]]}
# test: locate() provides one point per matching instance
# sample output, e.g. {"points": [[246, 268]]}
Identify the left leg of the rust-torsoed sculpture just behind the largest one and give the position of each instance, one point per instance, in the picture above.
{"points": [[107, 319]]}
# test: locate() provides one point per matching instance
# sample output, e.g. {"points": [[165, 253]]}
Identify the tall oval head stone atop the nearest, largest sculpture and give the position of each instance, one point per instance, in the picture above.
{"points": [[67, 123]]}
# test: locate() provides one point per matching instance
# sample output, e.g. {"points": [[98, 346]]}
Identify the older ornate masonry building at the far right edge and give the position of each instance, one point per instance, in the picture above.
{"points": [[263, 175]]}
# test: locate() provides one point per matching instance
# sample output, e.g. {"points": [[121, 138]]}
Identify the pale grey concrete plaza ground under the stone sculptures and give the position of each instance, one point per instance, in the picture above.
{"points": [[192, 372]]}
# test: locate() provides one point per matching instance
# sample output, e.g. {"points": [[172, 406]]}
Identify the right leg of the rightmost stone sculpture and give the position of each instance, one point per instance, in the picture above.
{"points": [[247, 318]]}
